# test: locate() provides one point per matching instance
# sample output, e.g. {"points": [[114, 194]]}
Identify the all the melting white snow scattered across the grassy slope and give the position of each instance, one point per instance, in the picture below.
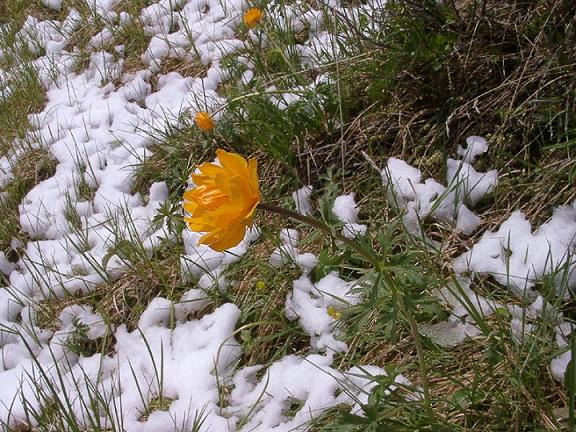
{"points": [[98, 124]]}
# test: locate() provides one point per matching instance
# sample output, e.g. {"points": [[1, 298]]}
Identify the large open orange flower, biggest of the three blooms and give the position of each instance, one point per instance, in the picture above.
{"points": [[224, 200]]}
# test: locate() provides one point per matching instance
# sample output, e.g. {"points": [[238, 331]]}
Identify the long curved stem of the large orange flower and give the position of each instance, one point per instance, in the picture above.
{"points": [[386, 276]]}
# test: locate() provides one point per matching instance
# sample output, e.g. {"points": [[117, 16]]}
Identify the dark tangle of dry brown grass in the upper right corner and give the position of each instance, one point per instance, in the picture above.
{"points": [[508, 76]]}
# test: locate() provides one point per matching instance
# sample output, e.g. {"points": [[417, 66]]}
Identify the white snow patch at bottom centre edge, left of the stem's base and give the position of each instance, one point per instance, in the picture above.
{"points": [[309, 381]]}
